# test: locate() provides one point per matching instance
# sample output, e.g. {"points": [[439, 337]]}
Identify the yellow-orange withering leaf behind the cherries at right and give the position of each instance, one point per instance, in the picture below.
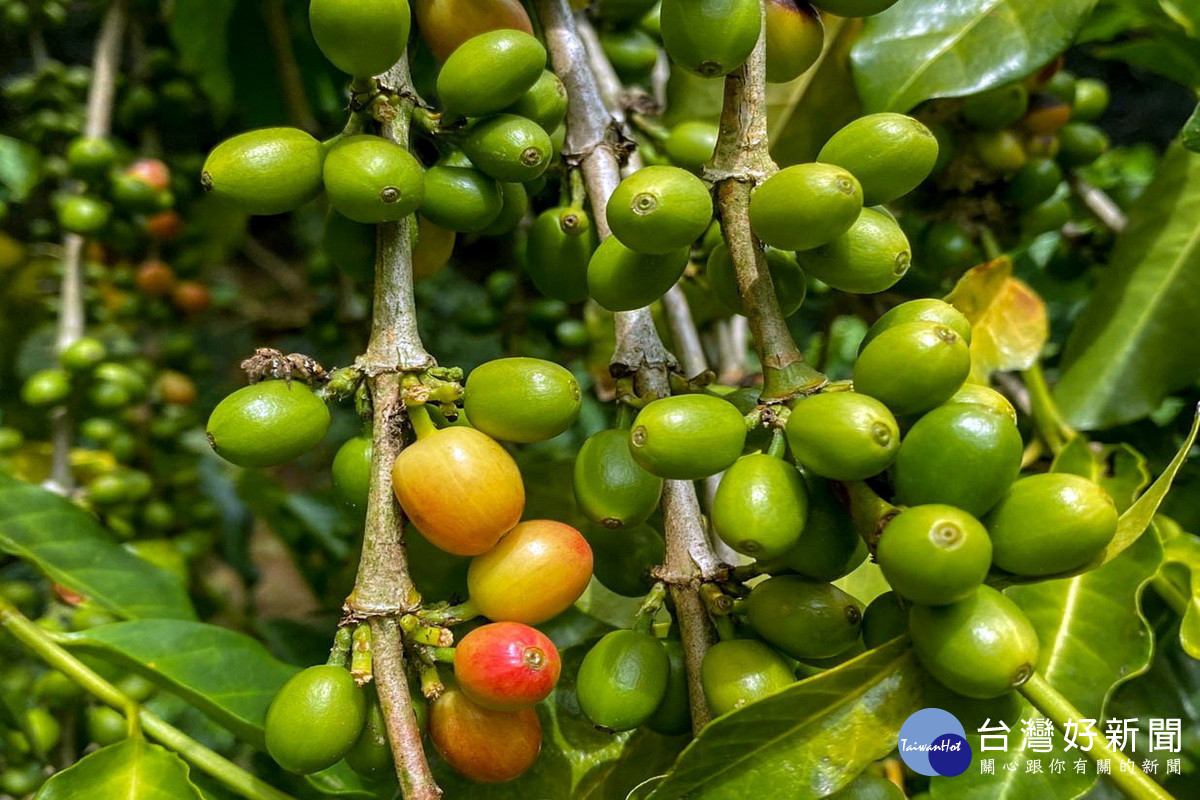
{"points": [[1009, 320]]}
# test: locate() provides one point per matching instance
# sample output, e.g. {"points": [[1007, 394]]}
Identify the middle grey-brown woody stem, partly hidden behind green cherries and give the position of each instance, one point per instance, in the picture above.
{"points": [[592, 141]]}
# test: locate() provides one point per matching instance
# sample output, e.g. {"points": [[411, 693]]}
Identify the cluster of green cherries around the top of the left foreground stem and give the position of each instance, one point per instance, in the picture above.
{"points": [[500, 106]]}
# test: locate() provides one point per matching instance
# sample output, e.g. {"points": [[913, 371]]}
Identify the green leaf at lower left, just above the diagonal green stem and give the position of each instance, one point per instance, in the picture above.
{"points": [[229, 676]]}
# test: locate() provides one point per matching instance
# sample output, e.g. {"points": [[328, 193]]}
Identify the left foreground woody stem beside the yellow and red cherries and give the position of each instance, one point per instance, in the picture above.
{"points": [[383, 591]]}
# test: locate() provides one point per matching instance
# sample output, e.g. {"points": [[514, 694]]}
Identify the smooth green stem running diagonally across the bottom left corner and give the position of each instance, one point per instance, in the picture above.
{"points": [[225, 772]]}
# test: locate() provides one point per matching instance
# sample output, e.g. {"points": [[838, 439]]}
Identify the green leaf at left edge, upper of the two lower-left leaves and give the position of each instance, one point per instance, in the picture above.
{"points": [[68, 545]]}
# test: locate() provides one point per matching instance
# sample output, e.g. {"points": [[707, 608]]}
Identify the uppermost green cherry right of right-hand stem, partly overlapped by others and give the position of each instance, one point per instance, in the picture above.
{"points": [[890, 155]]}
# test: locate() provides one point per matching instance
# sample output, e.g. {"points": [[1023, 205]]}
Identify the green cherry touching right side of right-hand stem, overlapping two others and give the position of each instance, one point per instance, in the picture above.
{"points": [[806, 207]]}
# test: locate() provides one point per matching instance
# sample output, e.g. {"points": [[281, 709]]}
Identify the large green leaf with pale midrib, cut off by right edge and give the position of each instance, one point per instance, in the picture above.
{"points": [[1137, 340]]}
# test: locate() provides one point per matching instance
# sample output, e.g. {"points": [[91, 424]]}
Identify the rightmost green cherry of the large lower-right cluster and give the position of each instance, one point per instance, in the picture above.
{"points": [[1052, 524]]}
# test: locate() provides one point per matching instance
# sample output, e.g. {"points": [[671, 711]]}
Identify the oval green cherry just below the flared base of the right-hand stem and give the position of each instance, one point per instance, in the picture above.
{"points": [[843, 436]]}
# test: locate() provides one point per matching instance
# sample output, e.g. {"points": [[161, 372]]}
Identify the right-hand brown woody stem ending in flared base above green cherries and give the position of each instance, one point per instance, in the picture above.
{"points": [[741, 163]]}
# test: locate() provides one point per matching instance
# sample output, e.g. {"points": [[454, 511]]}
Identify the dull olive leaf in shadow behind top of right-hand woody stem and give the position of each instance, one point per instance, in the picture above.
{"points": [[803, 115]]}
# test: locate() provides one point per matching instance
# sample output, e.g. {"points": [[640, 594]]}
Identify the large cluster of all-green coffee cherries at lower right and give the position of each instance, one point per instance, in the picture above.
{"points": [[811, 503]]}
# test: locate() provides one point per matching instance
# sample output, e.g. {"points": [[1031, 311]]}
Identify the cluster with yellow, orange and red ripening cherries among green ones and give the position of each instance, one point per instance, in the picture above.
{"points": [[464, 496]]}
